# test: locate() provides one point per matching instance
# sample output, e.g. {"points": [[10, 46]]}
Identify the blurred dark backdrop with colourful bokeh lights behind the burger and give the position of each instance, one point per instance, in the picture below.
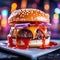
{"points": [[52, 7]]}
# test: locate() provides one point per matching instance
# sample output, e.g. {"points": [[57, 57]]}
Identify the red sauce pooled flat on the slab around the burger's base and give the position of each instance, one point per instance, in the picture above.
{"points": [[27, 46]]}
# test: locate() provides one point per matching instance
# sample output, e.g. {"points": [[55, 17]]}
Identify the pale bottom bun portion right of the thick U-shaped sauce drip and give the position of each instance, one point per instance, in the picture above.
{"points": [[38, 43]]}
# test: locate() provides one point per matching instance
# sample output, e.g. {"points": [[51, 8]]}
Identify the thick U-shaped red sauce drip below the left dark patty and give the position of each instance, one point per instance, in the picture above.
{"points": [[25, 45]]}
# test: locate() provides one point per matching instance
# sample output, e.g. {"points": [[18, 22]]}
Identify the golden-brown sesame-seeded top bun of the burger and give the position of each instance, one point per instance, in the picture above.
{"points": [[28, 15]]}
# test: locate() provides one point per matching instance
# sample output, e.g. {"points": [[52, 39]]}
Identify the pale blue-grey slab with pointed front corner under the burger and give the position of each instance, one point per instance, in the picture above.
{"points": [[31, 52]]}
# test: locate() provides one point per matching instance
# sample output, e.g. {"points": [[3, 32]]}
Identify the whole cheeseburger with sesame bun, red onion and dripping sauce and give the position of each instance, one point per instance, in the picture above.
{"points": [[29, 28]]}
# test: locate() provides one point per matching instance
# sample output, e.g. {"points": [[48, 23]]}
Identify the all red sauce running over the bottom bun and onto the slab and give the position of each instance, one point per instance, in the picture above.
{"points": [[26, 43]]}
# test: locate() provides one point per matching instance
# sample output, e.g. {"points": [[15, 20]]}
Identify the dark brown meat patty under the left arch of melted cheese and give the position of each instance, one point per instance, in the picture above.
{"points": [[24, 33]]}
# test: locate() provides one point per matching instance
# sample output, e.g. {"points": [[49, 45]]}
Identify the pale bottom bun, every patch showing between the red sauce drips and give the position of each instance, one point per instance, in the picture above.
{"points": [[34, 43]]}
